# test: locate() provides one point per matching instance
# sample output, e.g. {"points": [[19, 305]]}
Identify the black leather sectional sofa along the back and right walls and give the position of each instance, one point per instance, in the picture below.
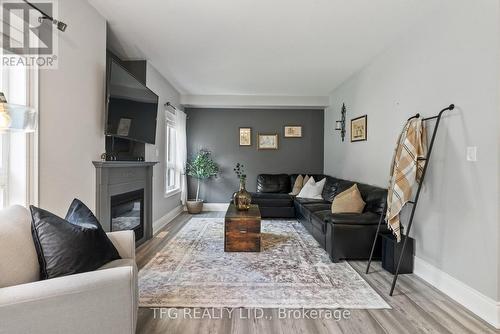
{"points": [[343, 236]]}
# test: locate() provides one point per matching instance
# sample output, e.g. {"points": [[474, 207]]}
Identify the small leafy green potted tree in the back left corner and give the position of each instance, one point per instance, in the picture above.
{"points": [[201, 167]]}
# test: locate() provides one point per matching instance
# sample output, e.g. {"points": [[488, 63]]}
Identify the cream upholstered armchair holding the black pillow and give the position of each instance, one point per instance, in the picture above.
{"points": [[102, 301]]}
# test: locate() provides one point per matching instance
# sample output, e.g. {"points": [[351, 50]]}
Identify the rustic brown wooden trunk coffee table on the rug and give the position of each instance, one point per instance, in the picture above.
{"points": [[242, 230]]}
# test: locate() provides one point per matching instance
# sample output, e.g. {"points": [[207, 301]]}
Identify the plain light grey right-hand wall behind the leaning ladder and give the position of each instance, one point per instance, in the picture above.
{"points": [[453, 57]]}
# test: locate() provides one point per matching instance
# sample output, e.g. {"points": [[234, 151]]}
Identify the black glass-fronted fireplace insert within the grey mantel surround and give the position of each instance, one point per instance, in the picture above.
{"points": [[127, 212]]}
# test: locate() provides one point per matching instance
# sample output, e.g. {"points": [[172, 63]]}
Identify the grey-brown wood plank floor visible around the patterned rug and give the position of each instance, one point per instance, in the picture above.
{"points": [[416, 307]]}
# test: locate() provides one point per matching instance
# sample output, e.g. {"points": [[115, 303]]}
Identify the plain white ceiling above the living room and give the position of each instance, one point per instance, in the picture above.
{"points": [[258, 47]]}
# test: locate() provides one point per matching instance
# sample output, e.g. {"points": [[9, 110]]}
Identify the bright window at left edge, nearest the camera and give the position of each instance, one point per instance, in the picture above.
{"points": [[18, 165]]}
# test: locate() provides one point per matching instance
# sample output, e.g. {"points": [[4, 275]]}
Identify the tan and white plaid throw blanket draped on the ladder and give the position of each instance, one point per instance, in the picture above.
{"points": [[406, 171]]}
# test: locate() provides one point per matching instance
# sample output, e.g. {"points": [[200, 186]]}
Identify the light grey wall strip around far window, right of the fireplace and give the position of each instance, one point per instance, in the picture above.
{"points": [[162, 206]]}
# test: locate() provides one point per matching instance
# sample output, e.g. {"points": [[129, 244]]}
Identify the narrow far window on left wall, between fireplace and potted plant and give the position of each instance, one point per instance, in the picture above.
{"points": [[172, 173]]}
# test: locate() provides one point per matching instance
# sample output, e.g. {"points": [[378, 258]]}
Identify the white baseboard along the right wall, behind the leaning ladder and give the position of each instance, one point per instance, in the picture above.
{"points": [[483, 306]]}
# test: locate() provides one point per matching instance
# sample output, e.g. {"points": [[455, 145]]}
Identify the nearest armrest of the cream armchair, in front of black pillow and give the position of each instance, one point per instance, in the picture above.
{"points": [[102, 301]]}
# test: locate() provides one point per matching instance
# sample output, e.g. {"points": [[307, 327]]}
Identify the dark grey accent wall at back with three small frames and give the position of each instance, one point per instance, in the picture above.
{"points": [[217, 130]]}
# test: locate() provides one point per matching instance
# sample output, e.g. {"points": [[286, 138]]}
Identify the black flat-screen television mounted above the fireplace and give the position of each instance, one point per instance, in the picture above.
{"points": [[131, 107]]}
